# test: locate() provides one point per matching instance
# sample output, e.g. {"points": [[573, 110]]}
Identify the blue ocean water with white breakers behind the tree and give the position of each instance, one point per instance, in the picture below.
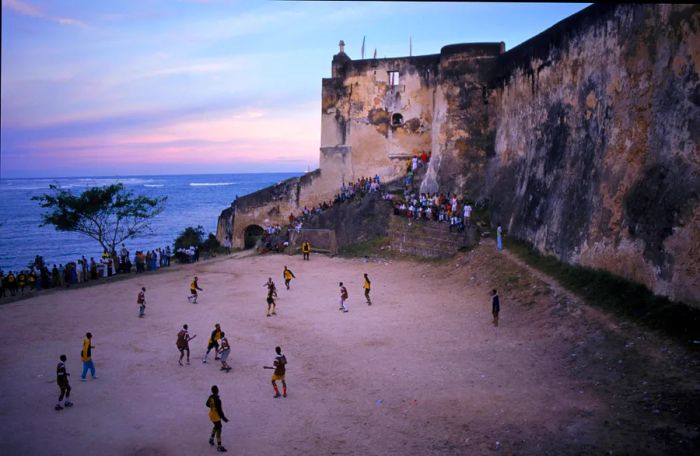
{"points": [[192, 200]]}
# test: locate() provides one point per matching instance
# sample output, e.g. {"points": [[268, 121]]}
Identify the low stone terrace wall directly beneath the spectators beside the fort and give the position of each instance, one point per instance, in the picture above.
{"points": [[427, 238]]}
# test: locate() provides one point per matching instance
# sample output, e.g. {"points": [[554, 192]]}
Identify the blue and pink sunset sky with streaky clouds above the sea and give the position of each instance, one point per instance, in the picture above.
{"points": [[174, 87]]}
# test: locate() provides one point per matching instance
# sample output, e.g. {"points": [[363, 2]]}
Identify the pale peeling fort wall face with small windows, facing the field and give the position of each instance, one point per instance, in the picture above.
{"points": [[379, 124]]}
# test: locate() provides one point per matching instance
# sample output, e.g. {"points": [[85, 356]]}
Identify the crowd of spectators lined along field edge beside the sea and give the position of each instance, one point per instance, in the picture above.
{"points": [[39, 275]]}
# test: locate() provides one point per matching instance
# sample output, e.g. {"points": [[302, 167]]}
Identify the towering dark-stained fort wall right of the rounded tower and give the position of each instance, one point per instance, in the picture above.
{"points": [[596, 125]]}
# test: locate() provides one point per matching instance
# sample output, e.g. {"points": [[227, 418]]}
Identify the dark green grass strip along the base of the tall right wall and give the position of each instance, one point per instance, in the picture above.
{"points": [[610, 292]]}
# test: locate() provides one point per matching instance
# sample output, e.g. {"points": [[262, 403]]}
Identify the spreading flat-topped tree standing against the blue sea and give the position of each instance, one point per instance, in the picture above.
{"points": [[110, 214]]}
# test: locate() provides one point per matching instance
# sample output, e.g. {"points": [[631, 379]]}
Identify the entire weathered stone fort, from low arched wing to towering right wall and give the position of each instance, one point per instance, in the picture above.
{"points": [[582, 140]]}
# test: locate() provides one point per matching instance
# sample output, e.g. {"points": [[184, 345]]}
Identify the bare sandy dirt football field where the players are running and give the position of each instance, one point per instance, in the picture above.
{"points": [[420, 372]]}
